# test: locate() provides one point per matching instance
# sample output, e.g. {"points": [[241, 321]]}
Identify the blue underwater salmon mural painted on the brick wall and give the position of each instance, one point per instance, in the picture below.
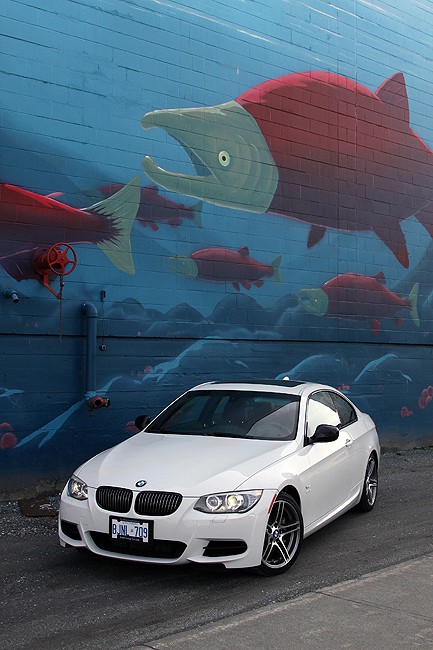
{"points": [[286, 232]]}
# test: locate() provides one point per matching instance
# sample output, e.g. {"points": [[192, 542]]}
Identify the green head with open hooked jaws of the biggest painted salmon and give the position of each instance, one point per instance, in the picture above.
{"points": [[229, 153]]}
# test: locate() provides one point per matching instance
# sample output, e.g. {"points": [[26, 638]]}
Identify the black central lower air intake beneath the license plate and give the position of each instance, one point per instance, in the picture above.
{"points": [[159, 548]]}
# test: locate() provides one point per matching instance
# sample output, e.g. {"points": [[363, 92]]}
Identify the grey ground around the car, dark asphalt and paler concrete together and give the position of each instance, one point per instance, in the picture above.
{"points": [[366, 580]]}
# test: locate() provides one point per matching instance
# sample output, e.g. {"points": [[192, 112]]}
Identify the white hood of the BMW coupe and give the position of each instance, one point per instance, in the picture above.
{"points": [[191, 465]]}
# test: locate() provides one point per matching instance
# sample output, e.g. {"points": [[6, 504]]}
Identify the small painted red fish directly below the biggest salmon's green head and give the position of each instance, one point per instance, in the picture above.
{"points": [[225, 265]]}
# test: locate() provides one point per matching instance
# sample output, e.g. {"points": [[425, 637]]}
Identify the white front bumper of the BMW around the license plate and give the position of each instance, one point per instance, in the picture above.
{"points": [[187, 535]]}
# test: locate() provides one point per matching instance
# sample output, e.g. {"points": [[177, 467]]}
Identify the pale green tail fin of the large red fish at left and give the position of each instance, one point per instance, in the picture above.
{"points": [[122, 208]]}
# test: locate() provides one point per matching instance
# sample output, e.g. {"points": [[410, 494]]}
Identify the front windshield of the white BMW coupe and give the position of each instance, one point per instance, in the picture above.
{"points": [[231, 414]]}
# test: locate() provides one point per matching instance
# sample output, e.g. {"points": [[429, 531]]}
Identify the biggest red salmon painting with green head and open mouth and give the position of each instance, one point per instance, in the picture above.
{"points": [[313, 146]]}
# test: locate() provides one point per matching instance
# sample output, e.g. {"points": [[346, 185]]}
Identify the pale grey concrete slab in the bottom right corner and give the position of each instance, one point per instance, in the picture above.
{"points": [[387, 609]]}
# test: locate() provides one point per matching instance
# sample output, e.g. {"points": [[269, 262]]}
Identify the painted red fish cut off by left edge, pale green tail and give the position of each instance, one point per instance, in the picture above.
{"points": [[29, 221]]}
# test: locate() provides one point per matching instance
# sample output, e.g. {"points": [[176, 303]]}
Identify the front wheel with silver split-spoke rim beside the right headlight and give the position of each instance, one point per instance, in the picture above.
{"points": [[283, 537]]}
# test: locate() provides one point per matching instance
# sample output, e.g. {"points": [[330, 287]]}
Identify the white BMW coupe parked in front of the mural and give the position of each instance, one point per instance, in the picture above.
{"points": [[229, 473]]}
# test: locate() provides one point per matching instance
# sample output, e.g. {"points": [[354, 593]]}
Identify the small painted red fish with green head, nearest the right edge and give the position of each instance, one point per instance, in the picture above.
{"points": [[358, 297]]}
